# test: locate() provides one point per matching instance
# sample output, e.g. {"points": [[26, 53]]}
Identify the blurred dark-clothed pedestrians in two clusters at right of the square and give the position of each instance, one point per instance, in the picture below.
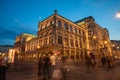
{"points": [[91, 61]]}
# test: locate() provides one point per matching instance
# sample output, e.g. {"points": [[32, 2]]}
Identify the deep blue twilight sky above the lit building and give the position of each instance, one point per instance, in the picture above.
{"points": [[22, 16]]}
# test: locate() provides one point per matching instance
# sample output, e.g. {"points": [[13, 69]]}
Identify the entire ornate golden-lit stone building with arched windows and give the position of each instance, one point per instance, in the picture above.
{"points": [[60, 35]]}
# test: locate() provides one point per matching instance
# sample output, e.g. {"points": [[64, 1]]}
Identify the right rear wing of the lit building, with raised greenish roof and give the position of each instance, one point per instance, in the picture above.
{"points": [[98, 37]]}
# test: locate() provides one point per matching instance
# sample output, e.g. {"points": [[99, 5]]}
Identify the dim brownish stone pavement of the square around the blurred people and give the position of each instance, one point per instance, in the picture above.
{"points": [[77, 71]]}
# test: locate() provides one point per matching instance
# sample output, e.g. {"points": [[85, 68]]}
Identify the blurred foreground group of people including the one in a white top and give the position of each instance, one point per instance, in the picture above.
{"points": [[48, 69]]}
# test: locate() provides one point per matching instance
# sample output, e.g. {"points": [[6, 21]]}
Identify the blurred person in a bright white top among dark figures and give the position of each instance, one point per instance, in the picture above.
{"points": [[52, 63]]}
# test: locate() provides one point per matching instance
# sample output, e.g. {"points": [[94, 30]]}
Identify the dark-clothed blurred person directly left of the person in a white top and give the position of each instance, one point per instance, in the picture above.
{"points": [[46, 67]]}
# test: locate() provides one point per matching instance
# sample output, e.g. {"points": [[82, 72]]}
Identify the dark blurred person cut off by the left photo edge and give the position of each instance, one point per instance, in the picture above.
{"points": [[3, 67]]}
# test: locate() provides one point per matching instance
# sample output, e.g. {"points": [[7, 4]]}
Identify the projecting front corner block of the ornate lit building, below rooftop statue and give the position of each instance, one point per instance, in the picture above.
{"points": [[62, 36]]}
